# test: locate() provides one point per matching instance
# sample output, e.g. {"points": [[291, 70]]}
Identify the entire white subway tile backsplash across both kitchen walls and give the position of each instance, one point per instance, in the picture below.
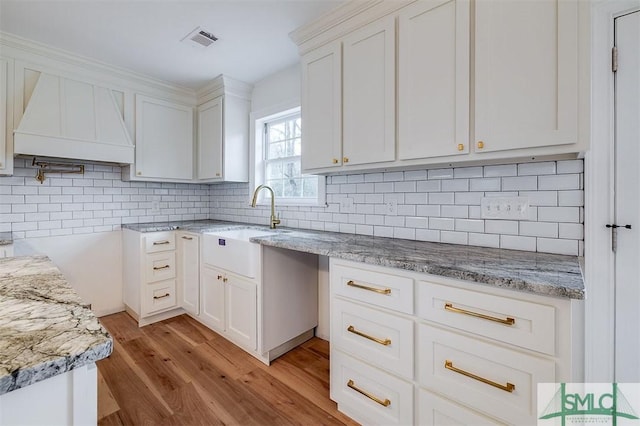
{"points": [[440, 205]]}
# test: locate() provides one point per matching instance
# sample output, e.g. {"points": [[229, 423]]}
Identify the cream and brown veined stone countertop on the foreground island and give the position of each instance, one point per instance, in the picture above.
{"points": [[45, 328]]}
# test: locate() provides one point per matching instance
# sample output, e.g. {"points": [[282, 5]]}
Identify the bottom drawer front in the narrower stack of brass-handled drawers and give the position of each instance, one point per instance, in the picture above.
{"points": [[390, 399]]}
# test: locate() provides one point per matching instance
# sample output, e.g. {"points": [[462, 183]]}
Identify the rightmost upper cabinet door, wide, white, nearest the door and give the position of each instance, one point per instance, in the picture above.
{"points": [[526, 74]]}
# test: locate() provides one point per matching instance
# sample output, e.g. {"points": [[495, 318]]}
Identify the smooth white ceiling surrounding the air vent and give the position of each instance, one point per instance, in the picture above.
{"points": [[144, 36]]}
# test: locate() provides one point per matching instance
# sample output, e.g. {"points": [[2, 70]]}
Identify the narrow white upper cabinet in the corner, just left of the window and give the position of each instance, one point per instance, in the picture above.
{"points": [[222, 153]]}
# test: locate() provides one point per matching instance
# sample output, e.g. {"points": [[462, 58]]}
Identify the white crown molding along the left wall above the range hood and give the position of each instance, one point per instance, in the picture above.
{"points": [[89, 64]]}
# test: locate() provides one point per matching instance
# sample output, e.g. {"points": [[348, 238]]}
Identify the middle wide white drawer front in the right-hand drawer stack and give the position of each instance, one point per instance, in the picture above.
{"points": [[498, 365]]}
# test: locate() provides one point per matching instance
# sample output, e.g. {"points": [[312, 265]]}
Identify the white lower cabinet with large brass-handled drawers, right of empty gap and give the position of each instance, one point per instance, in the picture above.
{"points": [[479, 352]]}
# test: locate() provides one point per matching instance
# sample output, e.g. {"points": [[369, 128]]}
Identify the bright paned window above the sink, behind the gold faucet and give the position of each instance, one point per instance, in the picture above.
{"points": [[277, 154]]}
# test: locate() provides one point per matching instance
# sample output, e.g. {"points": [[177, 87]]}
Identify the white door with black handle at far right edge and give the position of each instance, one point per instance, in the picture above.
{"points": [[627, 204]]}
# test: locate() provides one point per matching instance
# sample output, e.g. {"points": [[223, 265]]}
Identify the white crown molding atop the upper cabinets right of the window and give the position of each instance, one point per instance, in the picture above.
{"points": [[341, 21]]}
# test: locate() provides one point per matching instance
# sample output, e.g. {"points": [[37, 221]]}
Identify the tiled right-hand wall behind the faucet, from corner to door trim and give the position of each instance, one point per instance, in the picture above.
{"points": [[441, 205]]}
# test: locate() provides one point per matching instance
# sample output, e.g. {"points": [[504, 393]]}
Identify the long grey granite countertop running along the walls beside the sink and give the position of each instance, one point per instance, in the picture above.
{"points": [[540, 273]]}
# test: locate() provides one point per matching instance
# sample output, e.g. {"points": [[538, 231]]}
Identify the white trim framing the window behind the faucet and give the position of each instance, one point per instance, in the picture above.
{"points": [[257, 120]]}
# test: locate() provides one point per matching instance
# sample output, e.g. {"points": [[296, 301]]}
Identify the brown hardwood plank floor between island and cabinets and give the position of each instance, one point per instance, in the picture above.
{"points": [[178, 372]]}
